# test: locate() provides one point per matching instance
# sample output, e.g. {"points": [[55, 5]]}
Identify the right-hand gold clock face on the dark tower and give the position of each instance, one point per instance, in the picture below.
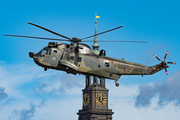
{"points": [[101, 99]]}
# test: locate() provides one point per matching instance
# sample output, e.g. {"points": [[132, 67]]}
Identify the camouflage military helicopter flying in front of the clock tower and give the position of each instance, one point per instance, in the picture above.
{"points": [[78, 58]]}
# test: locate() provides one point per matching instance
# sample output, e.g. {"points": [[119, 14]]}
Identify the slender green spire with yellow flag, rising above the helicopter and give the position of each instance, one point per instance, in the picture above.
{"points": [[96, 45]]}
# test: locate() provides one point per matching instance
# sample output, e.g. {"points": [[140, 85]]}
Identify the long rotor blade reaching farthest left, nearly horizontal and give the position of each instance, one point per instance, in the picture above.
{"points": [[36, 37]]}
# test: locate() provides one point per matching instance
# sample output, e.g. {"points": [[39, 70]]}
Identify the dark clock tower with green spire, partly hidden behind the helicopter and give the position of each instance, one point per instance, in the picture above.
{"points": [[95, 96]]}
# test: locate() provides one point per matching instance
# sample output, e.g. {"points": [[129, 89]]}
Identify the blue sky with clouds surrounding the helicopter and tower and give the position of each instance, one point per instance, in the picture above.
{"points": [[27, 92]]}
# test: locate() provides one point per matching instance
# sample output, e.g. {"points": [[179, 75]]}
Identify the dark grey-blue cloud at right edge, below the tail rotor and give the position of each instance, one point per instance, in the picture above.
{"points": [[167, 91]]}
